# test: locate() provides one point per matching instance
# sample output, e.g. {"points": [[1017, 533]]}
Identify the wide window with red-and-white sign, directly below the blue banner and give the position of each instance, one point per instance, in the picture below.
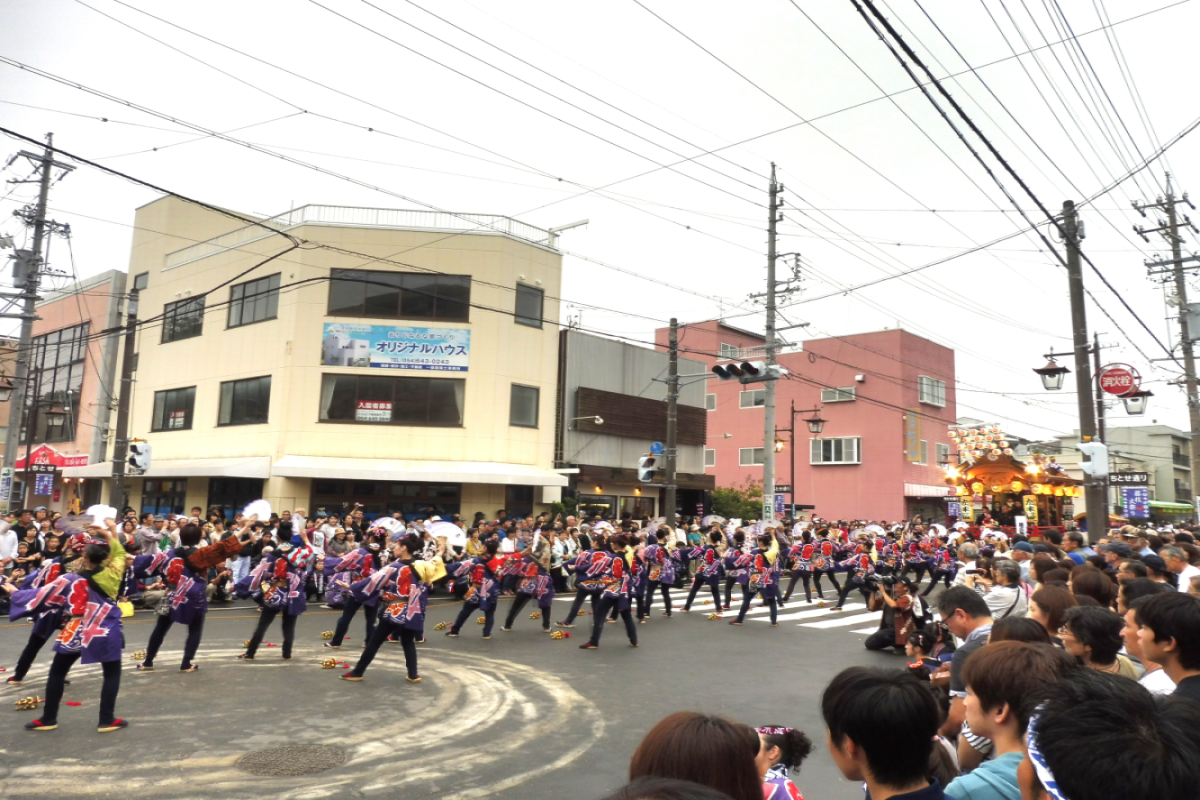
{"points": [[370, 400]]}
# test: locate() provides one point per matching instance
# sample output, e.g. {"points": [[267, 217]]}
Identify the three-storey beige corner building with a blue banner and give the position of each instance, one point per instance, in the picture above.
{"points": [[328, 357]]}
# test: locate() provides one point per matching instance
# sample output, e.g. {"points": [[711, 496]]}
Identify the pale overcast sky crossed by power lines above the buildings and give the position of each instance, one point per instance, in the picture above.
{"points": [[607, 94]]}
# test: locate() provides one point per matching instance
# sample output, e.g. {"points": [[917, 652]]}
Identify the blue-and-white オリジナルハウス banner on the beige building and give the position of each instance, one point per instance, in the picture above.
{"points": [[446, 350]]}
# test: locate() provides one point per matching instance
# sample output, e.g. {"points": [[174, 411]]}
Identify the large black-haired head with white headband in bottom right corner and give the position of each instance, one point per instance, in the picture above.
{"points": [[1096, 737]]}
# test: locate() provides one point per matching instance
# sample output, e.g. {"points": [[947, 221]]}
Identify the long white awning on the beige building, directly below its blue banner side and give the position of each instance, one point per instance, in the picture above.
{"points": [[382, 470]]}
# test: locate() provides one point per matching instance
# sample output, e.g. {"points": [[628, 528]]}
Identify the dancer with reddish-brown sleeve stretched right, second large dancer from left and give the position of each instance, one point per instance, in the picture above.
{"points": [[185, 569]]}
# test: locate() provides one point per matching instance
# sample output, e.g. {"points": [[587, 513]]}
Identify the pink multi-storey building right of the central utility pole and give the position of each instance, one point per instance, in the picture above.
{"points": [[887, 399]]}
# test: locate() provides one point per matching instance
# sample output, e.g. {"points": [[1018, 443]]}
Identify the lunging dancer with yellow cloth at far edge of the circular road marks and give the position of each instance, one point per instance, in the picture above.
{"points": [[405, 585]]}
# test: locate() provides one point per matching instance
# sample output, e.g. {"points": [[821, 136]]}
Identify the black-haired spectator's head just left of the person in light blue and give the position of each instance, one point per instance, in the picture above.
{"points": [[881, 725]]}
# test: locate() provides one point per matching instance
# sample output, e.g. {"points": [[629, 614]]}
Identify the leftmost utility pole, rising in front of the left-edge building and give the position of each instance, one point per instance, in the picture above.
{"points": [[31, 262]]}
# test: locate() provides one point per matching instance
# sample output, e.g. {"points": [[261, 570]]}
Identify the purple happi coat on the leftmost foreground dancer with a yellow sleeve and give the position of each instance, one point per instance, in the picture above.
{"points": [[93, 621]]}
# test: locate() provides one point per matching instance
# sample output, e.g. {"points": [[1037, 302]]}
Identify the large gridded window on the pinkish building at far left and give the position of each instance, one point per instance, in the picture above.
{"points": [[56, 382]]}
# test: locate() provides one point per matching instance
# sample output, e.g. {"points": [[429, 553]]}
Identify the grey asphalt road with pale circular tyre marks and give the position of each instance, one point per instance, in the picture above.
{"points": [[517, 717]]}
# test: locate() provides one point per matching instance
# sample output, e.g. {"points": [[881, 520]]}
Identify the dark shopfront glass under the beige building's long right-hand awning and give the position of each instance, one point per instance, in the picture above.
{"points": [[410, 498]]}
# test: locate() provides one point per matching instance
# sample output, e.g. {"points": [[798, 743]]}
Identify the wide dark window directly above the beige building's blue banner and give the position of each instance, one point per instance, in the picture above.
{"points": [[400, 296]]}
